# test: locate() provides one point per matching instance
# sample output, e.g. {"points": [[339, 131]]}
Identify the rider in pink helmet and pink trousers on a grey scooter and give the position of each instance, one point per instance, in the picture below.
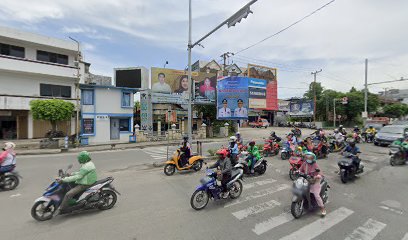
{"points": [[310, 168]]}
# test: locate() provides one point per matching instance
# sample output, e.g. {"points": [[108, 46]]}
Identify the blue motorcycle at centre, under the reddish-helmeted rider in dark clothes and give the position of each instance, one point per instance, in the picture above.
{"points": [[210, 188]]}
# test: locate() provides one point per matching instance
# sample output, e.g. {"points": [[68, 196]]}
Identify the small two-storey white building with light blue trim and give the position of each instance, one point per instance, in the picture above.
{"points": [[106, 113]]}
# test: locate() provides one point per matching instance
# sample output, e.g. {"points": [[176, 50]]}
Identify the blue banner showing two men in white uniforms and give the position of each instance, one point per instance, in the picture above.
{"points": [[232, 98]]}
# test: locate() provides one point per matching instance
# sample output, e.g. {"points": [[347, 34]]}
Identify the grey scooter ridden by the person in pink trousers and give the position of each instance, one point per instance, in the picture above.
{"points": [[300, 189]]}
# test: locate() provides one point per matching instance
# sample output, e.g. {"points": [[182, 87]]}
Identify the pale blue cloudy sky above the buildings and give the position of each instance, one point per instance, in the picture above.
{"points": [[336, 39]]}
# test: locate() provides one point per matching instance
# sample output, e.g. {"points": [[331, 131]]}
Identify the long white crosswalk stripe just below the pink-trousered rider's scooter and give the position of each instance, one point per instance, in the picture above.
{"points": [[319, 226]]}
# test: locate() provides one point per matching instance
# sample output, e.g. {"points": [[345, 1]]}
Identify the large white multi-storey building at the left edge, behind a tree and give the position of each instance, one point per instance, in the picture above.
{"points": [[34, 67]]}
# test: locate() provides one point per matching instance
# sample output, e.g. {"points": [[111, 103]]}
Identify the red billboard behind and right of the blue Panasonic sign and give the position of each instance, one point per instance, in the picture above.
{"points": [[270, 75]]}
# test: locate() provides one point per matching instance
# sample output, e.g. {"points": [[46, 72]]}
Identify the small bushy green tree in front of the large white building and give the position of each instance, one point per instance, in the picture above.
{"points": [[53, 110]]}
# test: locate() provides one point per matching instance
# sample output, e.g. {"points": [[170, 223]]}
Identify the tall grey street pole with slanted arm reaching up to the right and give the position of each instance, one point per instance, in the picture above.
{"points": [[230, 22]]}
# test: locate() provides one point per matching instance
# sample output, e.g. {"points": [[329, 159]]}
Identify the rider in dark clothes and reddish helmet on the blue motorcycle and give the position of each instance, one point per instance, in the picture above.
{"points": [[224, 169]]}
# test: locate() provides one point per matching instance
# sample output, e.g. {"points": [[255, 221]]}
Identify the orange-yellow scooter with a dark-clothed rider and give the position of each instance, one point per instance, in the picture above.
{"points": [[195, 162]]}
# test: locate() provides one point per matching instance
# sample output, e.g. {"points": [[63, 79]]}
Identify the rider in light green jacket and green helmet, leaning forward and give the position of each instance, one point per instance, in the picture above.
{"points": [[84, 178]]}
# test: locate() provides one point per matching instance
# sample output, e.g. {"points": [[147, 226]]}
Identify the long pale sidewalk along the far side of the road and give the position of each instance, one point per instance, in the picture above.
{"points": [[118, 146]]}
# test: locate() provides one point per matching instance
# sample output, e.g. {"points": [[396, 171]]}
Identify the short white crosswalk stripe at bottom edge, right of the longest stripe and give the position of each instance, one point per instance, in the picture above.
{"points": [[368, 231]]}
